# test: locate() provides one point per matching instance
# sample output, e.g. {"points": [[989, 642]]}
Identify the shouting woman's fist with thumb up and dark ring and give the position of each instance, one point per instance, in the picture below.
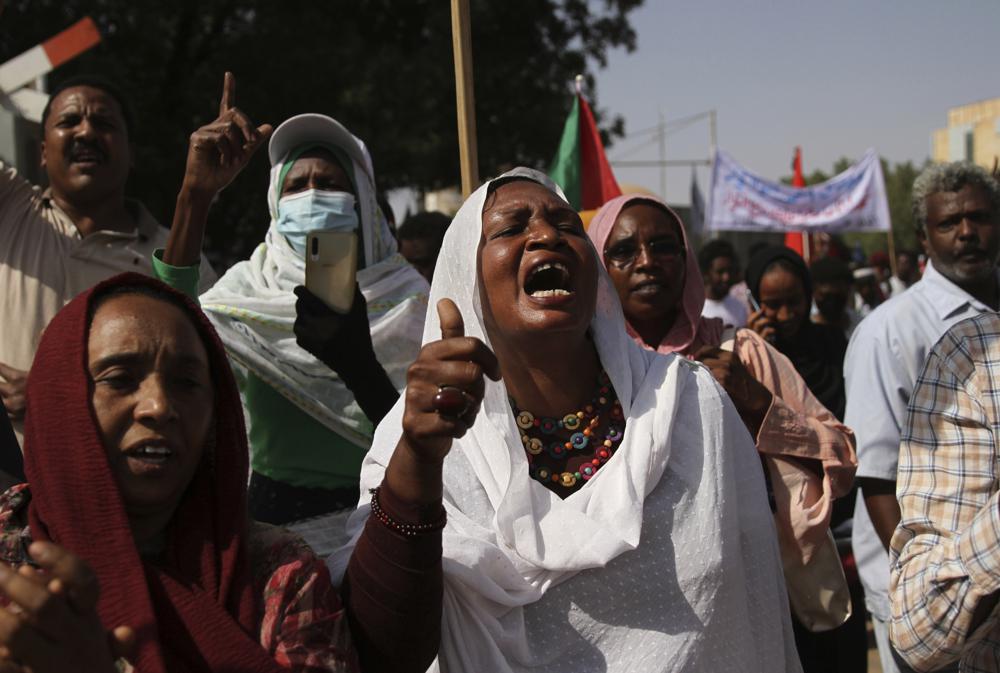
{"points": [[414, 471]]}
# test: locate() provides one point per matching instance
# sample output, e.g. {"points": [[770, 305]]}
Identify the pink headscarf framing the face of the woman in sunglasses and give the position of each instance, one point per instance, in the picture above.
{"points": [[690, 331]]}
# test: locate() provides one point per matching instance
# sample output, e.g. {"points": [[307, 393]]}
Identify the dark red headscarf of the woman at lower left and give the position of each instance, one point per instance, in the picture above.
{"points": [[195, 610]]}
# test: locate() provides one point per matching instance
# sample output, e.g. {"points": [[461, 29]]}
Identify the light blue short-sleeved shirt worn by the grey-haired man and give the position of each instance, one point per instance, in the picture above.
{"points": [[883, 360]]}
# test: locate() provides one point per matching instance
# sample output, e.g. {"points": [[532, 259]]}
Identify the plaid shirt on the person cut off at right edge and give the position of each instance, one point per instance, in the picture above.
{"points": [[945, 553]]}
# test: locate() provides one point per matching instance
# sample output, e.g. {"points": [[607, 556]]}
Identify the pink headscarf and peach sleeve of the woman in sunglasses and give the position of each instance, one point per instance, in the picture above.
{"points": [[796, 430]]}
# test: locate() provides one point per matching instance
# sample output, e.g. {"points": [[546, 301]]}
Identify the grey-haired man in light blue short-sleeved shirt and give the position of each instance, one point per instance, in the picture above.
{"points": [[956, 211]]}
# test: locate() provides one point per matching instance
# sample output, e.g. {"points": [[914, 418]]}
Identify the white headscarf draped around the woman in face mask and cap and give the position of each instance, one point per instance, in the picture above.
{"points": [[253, 310]]}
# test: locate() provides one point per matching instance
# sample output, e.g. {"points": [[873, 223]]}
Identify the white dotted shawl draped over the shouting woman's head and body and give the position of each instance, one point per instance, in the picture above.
{"points": [[510, 541]]}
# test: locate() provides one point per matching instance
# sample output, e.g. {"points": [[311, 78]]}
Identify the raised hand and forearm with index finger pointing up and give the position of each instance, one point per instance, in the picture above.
{"points": [[217, 152]]}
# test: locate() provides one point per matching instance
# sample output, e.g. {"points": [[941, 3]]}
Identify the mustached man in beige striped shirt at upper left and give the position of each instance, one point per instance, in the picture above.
{"points": [[58, 242]]}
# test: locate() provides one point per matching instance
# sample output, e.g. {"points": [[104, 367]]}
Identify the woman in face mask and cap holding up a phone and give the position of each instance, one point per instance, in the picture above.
{"points": [[314, 381]]}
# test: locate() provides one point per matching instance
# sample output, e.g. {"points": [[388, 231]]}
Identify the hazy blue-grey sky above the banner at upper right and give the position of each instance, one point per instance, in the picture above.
{"points": [[833, 77]]}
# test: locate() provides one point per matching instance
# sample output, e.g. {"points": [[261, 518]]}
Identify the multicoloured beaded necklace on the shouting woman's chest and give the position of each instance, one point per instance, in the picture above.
{"points": [[556, 439]]}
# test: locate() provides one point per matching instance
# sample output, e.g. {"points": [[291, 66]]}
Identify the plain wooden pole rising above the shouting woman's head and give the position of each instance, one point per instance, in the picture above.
{"points": [[461, 40]]}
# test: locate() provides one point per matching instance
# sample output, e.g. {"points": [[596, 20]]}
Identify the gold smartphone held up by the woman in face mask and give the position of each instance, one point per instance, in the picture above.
{"points": [[331, 267]]}
